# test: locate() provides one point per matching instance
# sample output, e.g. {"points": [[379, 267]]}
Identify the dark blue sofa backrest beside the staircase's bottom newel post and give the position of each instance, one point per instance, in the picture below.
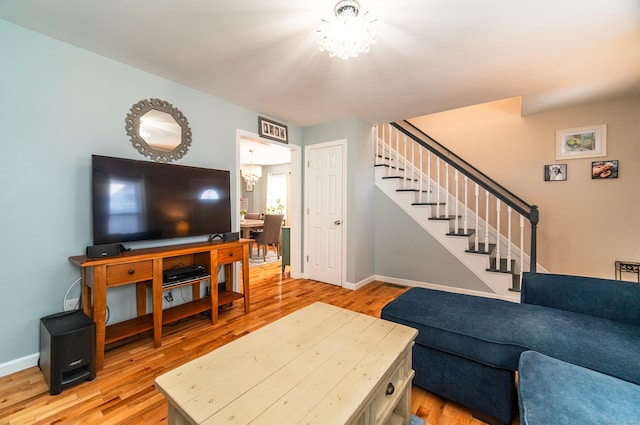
{"points": [[610, 299]]}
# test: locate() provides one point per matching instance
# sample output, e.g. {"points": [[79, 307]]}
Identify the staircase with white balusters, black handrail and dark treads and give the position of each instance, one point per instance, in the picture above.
{"points": [[490, 230]]}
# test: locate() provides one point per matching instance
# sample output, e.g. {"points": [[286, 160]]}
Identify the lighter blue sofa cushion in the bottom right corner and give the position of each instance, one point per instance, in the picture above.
{"points": [[555, 392]]}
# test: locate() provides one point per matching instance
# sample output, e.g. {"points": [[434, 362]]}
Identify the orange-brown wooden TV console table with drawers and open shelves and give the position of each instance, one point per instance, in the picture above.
{"points": [[144, 267]]}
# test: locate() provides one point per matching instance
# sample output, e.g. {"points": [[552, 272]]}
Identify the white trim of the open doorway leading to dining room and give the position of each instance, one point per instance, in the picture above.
{"points": [[295, 203]]}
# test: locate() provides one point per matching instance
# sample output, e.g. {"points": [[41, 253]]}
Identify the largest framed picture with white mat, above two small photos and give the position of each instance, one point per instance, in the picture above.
{"points": [[581, 142]]}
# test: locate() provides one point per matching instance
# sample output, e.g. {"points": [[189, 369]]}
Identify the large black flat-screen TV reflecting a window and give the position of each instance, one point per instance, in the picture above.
{"points": [[141, 200]]}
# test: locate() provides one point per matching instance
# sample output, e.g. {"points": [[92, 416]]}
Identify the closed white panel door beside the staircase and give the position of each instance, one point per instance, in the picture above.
{"points": [[325, 189]]}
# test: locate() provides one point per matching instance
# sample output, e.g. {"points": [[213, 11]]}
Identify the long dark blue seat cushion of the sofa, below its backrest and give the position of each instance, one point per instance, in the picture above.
{"points": [[496, 332]]}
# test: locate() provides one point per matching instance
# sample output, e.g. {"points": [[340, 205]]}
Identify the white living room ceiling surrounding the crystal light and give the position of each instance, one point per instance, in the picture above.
{"points": [[432, 55]]}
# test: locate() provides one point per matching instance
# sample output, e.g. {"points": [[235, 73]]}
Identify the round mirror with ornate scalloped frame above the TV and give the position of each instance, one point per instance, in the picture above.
{"points": [[158, 130]]}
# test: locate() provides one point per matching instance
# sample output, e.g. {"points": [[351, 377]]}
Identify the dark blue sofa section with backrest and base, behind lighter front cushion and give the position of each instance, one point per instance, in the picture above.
{"points": [[468, 348]]}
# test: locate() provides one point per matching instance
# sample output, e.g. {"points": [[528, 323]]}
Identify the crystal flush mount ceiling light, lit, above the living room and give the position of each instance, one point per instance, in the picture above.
{"points": [[348, 33]]}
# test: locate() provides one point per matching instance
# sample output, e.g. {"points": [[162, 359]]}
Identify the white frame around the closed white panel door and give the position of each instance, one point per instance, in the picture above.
{"points": [[343, 258]]}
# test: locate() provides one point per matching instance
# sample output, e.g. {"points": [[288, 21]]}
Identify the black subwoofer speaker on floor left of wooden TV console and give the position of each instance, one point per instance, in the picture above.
{"points": [[67, 349]]}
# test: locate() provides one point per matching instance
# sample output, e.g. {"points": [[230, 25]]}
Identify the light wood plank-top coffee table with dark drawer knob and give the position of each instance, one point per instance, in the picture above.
{"points": [[319, 365]]}
